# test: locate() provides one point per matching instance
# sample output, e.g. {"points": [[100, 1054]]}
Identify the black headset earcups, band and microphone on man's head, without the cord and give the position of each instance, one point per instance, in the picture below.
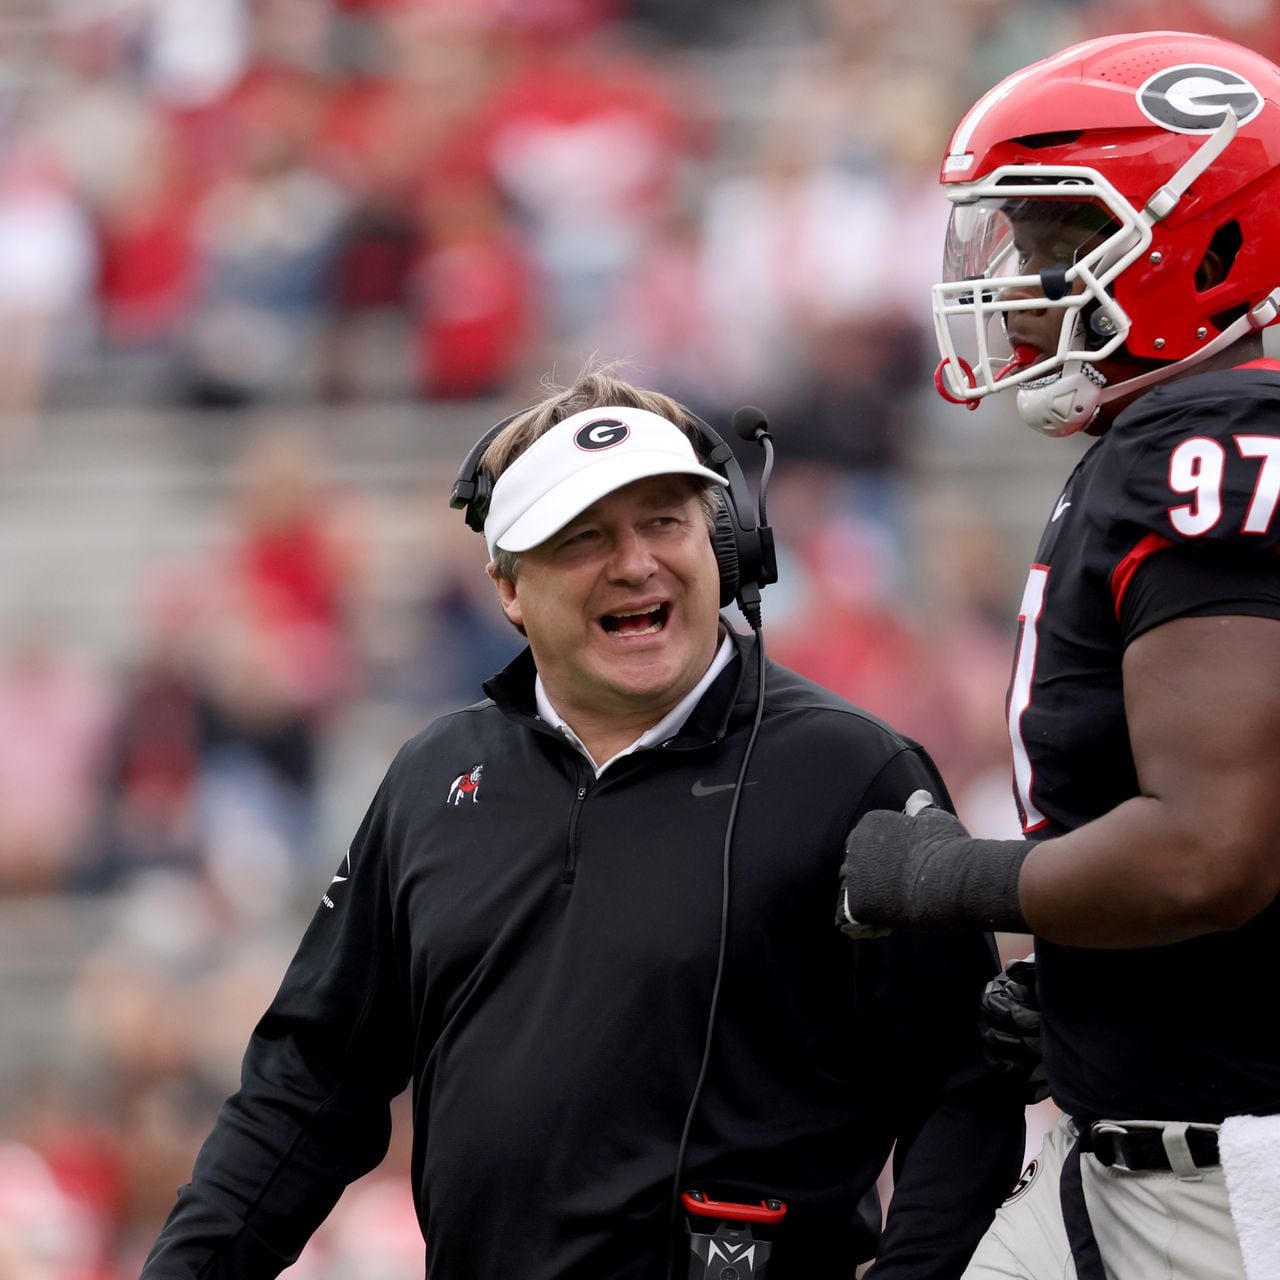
{"points": [[743, 543]]}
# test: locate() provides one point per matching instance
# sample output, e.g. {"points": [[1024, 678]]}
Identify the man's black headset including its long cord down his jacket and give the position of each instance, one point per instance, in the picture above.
{"points": [[747, 560]]}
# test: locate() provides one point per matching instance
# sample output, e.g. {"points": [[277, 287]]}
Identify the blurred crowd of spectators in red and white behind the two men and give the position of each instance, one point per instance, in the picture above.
{"points": [[234, 204]]}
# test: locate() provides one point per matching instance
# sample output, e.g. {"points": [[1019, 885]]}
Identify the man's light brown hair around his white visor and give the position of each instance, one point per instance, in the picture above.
{"points": [[596, 388]]}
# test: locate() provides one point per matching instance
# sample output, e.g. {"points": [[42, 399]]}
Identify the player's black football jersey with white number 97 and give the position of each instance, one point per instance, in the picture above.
{"points": [[1172, 514]]}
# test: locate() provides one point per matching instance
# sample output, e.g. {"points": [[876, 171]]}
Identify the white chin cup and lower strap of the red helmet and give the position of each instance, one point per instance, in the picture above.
{"points": [[1068, 403]]}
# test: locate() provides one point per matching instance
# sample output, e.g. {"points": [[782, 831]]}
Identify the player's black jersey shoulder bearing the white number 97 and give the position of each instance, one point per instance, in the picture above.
{"points": [[1199, 460]]}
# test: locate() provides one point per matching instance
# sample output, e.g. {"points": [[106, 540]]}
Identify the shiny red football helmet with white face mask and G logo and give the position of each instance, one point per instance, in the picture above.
{"points": [[1139, 154]]}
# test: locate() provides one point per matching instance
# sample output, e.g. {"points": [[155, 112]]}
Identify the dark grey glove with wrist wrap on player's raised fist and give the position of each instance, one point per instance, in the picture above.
{"points": [[921, 870]]}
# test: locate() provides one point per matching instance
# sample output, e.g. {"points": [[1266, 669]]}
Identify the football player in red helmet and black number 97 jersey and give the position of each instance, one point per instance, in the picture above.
{"points": [[1113, 257]]}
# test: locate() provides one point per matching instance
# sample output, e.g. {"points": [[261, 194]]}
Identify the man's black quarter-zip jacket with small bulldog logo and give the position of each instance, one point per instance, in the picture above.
{"points": [[536, 949]]}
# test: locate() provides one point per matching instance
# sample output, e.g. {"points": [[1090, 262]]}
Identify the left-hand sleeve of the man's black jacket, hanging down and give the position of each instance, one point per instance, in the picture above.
{"points": [[313, 1112]]}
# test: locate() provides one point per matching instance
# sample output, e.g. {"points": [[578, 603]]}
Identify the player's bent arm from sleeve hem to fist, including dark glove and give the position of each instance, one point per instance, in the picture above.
{"points": [[1197, 852]]}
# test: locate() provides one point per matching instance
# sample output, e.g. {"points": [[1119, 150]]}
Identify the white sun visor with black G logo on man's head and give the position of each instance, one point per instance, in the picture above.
{"points": [[578, 463]]}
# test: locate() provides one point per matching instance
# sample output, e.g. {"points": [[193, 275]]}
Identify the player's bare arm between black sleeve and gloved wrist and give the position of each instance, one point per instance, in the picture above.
{"points": [[1200, 849]]}
